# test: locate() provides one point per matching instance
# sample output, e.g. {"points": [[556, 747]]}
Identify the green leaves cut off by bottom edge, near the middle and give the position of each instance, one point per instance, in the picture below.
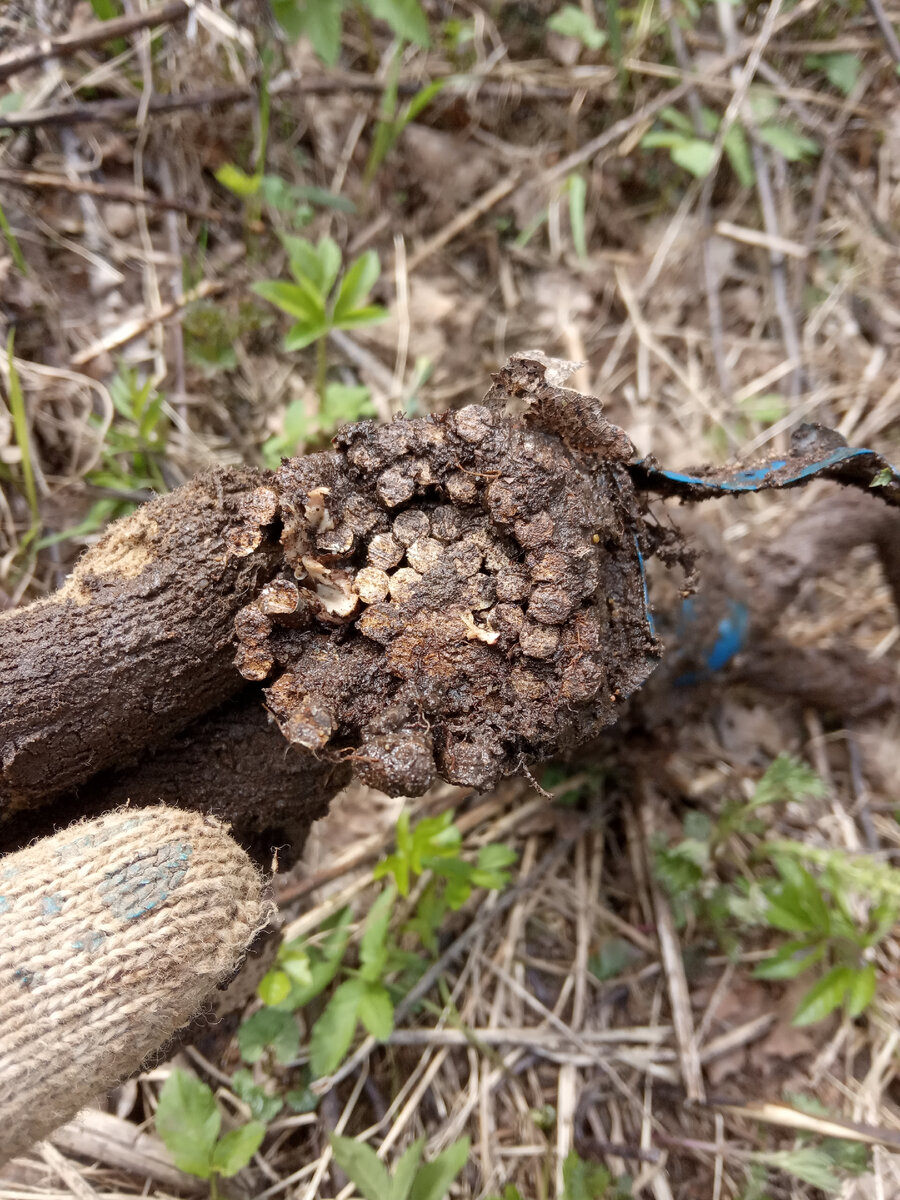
{"points": [[411, 1180]]}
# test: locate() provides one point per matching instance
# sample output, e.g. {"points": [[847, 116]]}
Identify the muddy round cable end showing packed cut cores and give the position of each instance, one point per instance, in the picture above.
{"points": [[461, 595]]}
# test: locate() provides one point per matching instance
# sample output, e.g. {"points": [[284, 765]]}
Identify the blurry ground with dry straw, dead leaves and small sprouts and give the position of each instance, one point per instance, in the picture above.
{"points": [[699, 202]]}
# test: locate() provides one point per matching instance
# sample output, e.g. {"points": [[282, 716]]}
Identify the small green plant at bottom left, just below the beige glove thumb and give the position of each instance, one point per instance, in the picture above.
{"points": [[190, 1124]]}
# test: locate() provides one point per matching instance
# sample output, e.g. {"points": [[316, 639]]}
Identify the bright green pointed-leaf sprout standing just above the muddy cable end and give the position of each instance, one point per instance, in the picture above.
{"points": [[323, 297]]}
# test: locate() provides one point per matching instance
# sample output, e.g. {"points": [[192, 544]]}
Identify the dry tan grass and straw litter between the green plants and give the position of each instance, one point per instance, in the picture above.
{"points": [[713, 319]]}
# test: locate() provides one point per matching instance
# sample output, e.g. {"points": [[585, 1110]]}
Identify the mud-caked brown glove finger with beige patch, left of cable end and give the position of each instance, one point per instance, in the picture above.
{"points": [[140, 640]]}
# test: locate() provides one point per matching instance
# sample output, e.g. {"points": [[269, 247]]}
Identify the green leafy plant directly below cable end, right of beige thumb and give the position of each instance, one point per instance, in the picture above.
{"points": [[368, 993]]}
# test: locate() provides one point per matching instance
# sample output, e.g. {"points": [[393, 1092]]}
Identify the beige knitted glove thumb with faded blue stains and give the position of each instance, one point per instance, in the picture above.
{"points": [[112, 935]]}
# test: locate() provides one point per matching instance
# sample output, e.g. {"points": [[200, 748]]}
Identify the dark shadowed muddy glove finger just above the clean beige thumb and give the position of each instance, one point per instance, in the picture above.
{"points": [[232, 764]]}
